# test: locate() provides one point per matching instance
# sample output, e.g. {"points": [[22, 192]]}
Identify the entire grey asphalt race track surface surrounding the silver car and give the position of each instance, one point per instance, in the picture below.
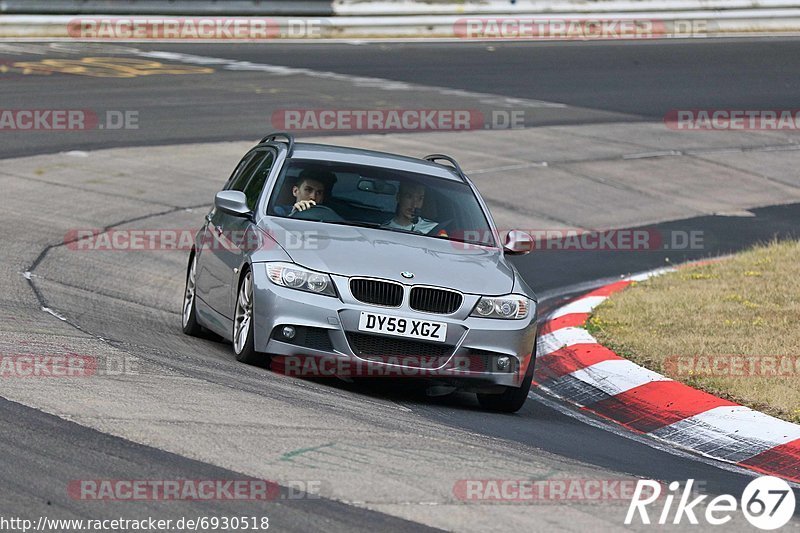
{"points": [[386, 455]]}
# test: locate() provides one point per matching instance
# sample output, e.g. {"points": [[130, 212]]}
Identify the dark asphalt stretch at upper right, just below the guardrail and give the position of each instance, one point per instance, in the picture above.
{"points": [[641, 78]]}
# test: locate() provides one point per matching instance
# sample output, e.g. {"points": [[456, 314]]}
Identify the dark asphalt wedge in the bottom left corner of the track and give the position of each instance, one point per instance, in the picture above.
{"points": [[38, 484]]}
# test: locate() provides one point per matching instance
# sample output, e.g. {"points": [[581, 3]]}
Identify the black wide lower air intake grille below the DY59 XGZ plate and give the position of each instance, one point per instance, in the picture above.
{"points": [[381, 349]]}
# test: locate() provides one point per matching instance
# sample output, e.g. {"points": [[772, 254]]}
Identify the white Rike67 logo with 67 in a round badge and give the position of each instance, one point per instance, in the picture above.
{"points": [[767, 503]]}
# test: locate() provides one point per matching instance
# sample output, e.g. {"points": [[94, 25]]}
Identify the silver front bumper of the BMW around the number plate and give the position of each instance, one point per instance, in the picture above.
{"points": [[327, 328]]}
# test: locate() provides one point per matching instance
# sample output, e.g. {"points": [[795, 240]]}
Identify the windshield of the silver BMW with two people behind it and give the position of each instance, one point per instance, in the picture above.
{"points": [[380, 198]]}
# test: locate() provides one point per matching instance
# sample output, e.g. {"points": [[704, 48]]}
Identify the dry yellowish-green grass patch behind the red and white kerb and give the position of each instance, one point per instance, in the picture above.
{"points": [[742, 309]]}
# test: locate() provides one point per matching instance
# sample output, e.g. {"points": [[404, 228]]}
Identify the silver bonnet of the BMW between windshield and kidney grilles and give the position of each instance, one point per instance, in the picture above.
{"points": [[353, 251]]}
